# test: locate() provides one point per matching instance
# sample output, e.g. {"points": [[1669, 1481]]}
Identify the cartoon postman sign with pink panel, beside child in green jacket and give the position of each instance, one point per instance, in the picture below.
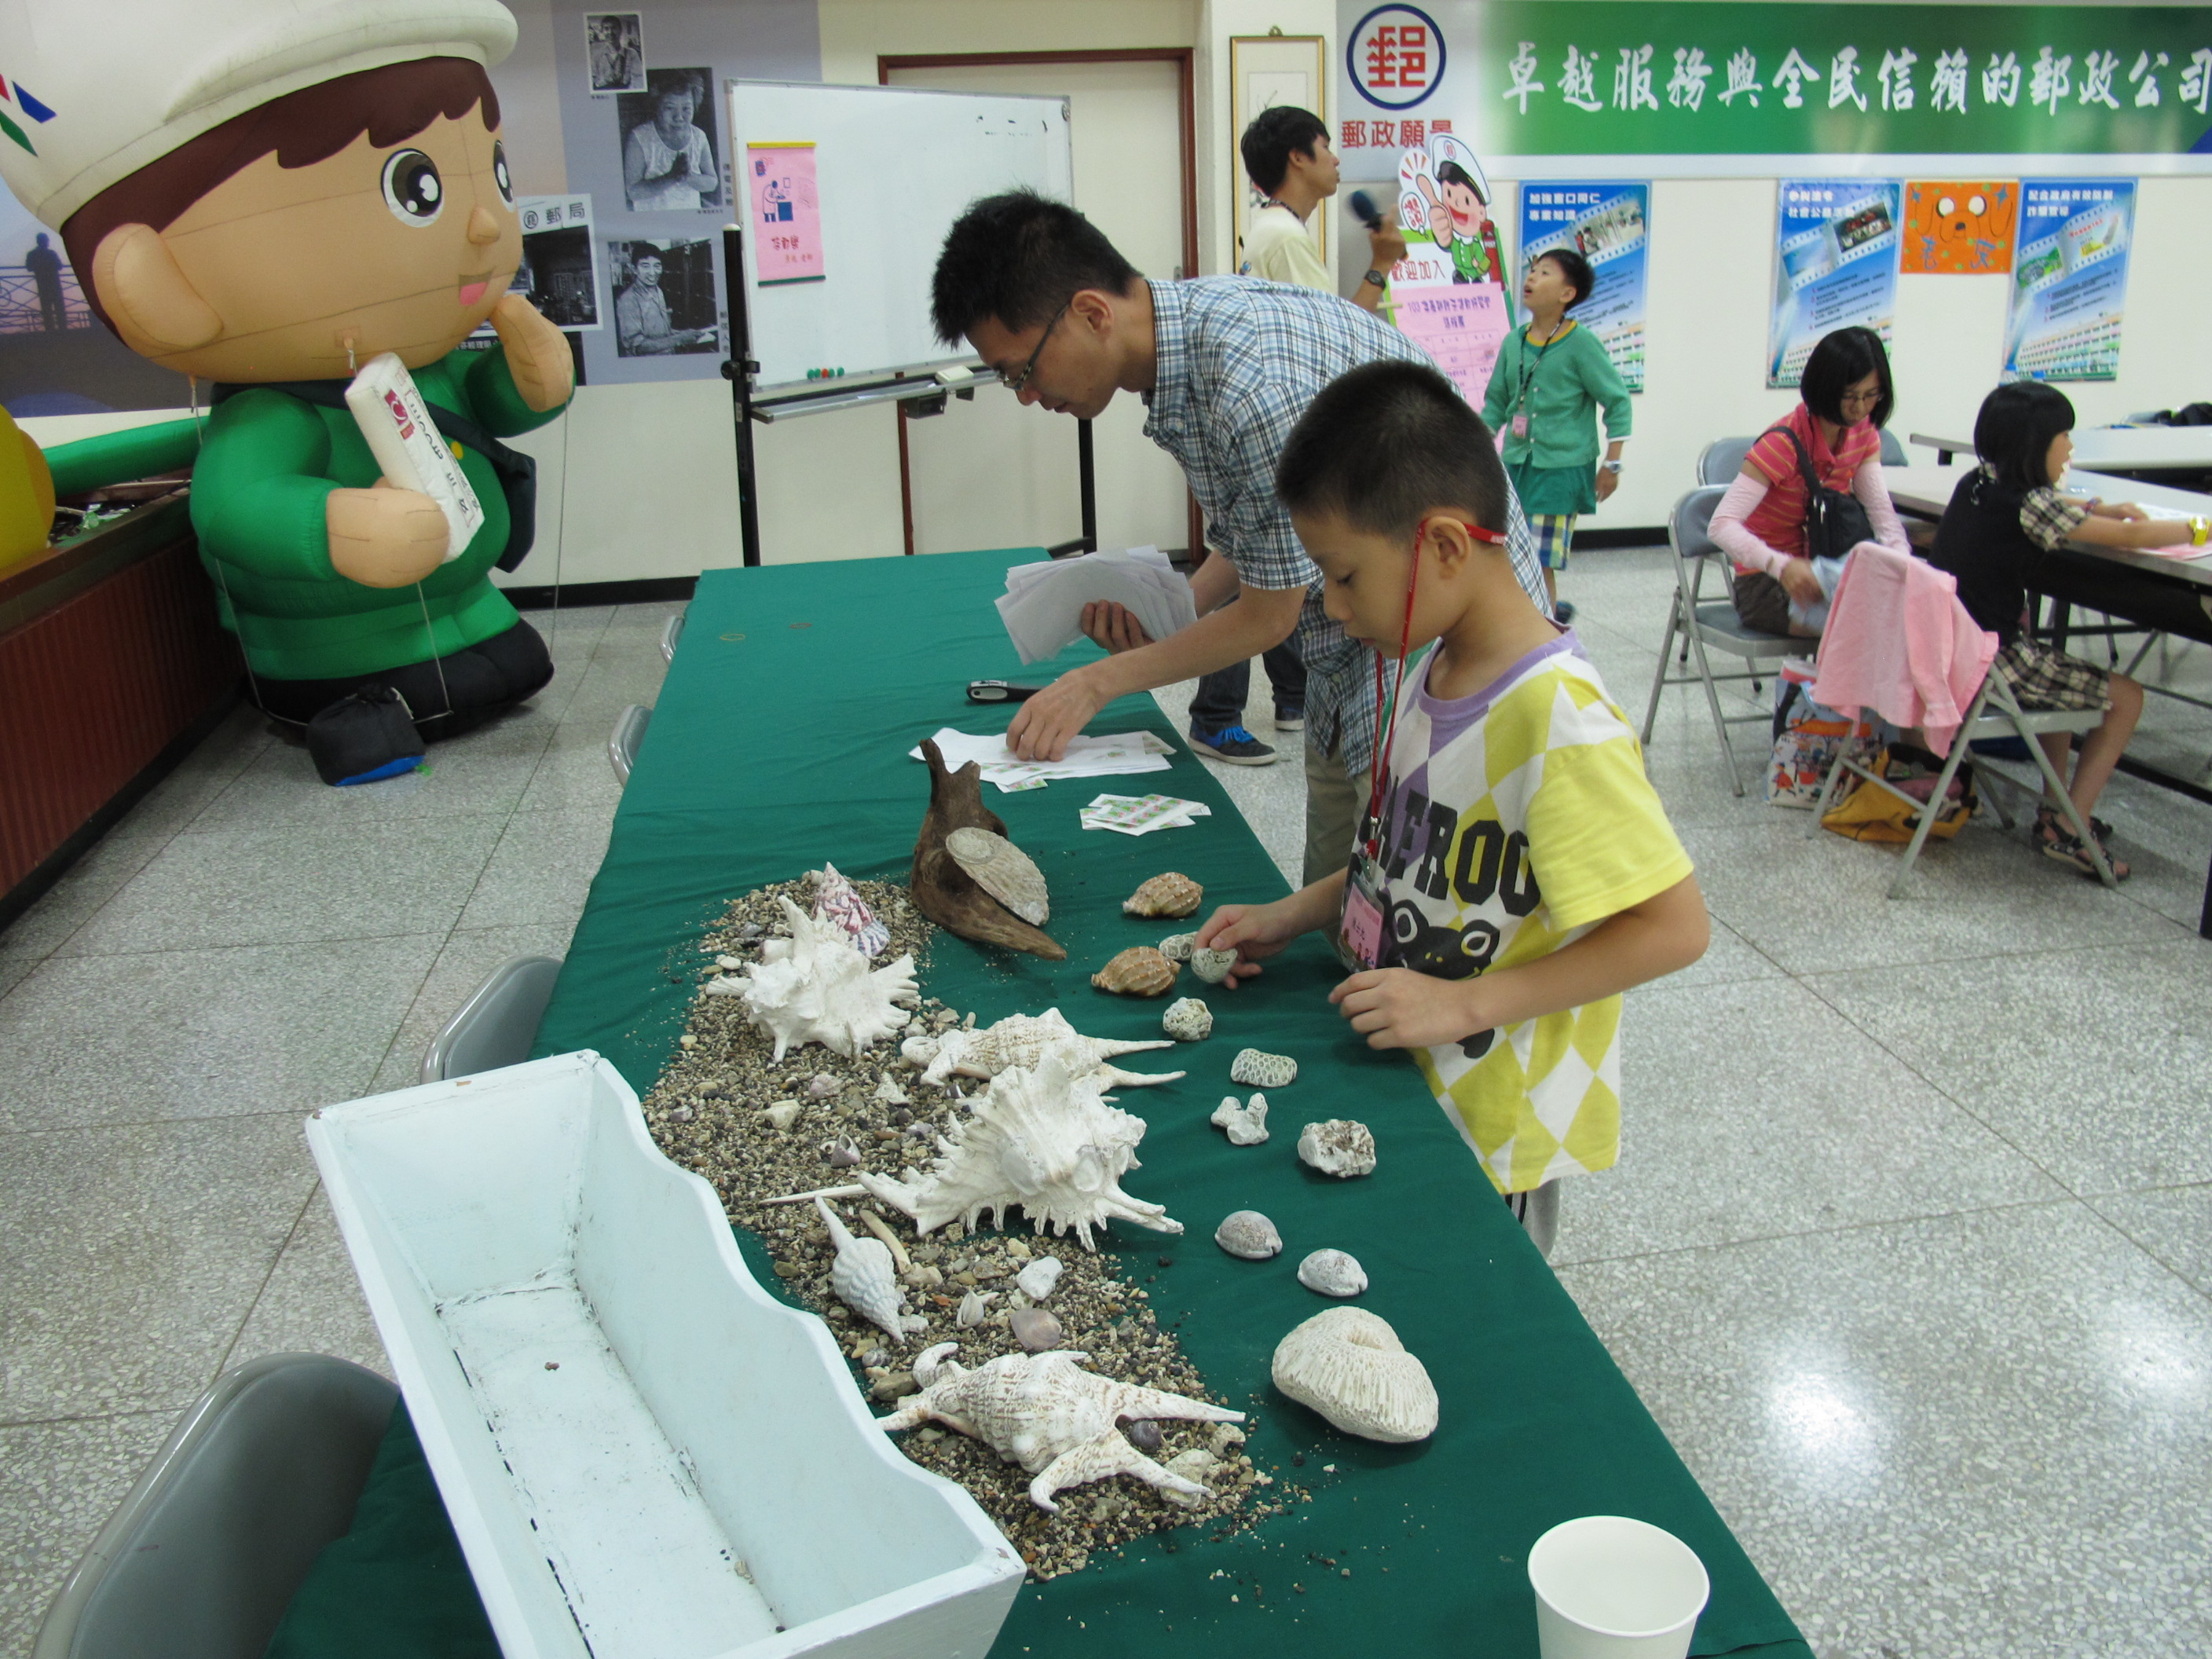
{"points": [[1450, 291]]}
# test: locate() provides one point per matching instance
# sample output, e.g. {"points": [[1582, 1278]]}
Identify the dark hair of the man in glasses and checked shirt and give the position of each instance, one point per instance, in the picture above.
{"points": [[1019, 260]]}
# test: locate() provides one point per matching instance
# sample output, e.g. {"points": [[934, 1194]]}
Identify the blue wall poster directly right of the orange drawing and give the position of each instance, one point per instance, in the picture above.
{"points": [[2069, 280]]}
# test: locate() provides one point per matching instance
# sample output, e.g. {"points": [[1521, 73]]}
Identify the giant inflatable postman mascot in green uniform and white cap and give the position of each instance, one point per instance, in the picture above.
{"points": [[304, 205]]}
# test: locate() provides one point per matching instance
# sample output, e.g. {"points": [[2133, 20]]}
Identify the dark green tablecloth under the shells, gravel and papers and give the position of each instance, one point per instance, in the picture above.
{"points": [[780, 742]]}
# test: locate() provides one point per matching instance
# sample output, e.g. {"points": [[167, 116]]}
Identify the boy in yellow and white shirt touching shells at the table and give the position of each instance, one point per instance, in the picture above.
{"points": [[1514, 873]]}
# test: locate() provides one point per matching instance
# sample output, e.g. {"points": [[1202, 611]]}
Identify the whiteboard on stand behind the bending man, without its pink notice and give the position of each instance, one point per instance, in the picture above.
{"points": [[893, 167]]}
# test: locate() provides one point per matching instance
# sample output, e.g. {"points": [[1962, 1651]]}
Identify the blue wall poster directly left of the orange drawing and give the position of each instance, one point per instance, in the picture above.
{"points": [[1835, 267]]}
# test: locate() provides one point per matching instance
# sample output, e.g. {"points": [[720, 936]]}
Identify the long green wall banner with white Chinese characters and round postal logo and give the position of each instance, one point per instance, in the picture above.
{"points": [[1724, 90]]}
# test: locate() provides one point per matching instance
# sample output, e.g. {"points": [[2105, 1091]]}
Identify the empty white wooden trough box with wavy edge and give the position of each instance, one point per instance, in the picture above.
{"points": [[645, 1454]]}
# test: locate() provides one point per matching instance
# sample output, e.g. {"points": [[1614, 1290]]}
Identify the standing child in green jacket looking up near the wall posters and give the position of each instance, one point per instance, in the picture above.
{"points": [[1545, 393]]}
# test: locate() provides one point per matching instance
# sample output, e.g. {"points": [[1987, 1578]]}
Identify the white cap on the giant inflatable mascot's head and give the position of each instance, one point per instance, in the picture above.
{"points": [[96, 90]]}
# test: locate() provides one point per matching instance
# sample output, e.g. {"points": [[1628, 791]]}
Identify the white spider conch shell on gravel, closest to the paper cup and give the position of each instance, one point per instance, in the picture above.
{"points": [[1052, 1417]]}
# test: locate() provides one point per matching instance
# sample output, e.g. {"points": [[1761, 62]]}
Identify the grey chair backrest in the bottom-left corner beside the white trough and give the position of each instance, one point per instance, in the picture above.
{"points": [[216, 1538]]}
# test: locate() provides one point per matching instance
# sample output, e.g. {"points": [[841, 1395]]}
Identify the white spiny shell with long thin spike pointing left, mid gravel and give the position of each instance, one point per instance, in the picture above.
{"points": [[1036, 1138]]}
